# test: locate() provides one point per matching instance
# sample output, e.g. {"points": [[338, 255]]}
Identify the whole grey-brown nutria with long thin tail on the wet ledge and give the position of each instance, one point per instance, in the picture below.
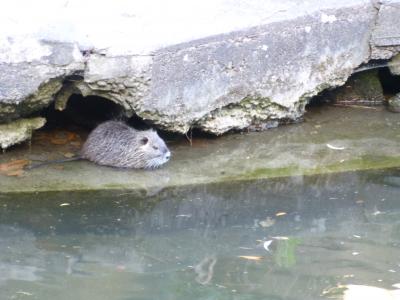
{"points": [[116, 144]]}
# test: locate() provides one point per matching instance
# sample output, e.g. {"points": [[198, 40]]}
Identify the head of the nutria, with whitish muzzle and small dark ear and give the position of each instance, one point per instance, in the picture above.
{"points": [[155, 151]]}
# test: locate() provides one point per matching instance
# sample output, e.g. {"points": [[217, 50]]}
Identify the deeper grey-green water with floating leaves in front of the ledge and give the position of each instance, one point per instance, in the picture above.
{"points": [[289, 238]]}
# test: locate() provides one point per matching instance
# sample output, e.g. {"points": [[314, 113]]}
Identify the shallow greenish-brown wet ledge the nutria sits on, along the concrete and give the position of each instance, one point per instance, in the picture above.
{"points": [[332, 139]]}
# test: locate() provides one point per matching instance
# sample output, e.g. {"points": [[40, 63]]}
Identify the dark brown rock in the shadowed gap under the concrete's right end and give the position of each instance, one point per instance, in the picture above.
{"points": [[361, 89]]}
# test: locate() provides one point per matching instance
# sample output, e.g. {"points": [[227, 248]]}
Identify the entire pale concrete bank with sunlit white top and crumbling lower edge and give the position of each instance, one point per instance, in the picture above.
{"points": [[216, 65]]}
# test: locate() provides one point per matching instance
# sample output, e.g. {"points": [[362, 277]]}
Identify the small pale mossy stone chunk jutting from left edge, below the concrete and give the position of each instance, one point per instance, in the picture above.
{"points": [[18, 131]]}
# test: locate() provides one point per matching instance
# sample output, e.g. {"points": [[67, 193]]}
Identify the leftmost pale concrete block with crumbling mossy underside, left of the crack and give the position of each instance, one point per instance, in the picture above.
{"points": [[32, 72]]}
